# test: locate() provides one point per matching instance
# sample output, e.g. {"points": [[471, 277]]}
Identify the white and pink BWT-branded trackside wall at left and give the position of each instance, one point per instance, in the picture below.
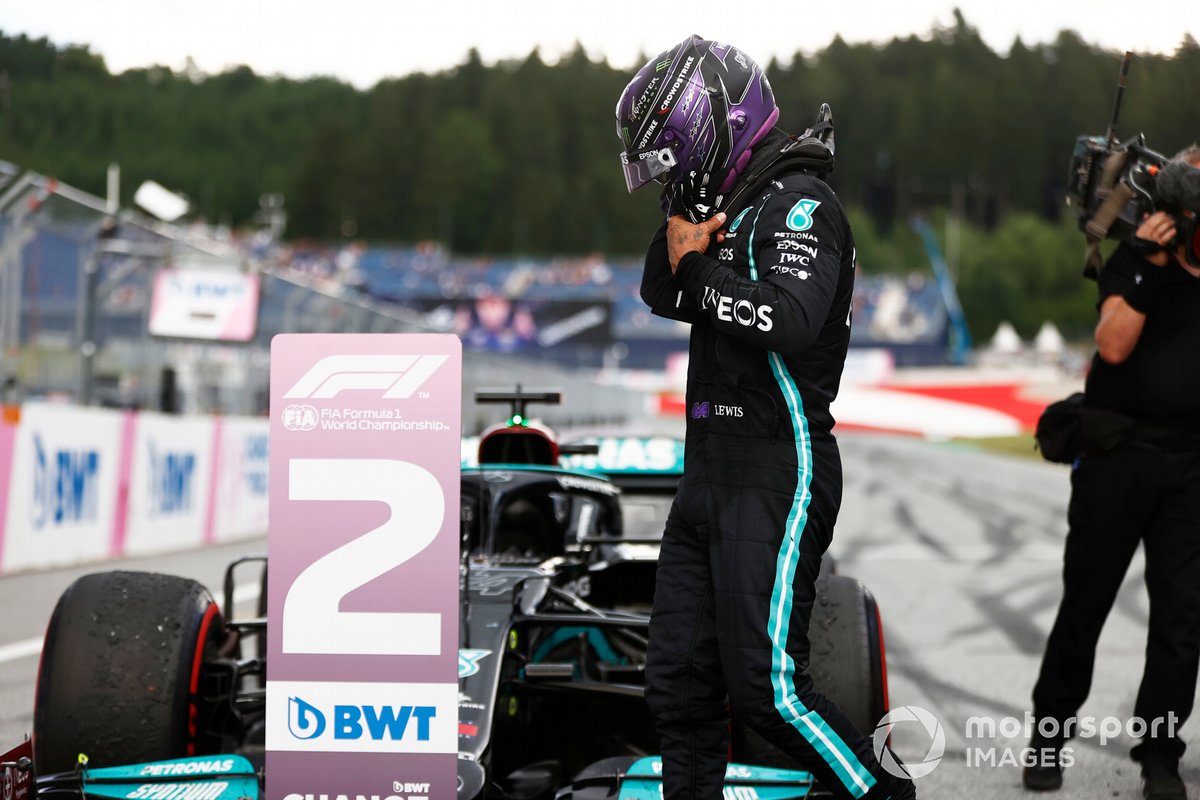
{"points": [[82, 485]]}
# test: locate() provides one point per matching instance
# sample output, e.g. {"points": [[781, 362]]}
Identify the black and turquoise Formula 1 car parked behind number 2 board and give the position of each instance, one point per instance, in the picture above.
{"points": [[164, 690]]}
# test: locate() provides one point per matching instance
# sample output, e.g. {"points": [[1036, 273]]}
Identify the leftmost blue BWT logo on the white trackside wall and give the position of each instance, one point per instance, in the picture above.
{"points": [[64, 486]]}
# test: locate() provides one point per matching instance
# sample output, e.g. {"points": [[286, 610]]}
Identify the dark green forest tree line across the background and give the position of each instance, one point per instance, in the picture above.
{"points": [[521, 157]]}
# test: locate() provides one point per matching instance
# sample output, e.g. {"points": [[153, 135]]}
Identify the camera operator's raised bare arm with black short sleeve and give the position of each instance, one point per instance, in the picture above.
{"points": [[1124, 311]]}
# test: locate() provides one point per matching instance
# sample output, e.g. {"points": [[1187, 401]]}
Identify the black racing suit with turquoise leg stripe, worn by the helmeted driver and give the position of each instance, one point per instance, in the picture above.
{"points": [[770, 314]]}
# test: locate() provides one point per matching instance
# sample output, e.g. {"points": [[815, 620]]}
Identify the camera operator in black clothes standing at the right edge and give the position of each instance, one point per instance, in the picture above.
{"points": [[1147, 489]]}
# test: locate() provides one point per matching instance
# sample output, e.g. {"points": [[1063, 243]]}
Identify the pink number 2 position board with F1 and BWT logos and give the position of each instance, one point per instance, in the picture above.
{"points": [[362, 687]]}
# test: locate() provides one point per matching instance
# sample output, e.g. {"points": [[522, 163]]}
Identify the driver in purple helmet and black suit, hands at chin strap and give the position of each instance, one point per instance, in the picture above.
{"points": [[758, 256]]}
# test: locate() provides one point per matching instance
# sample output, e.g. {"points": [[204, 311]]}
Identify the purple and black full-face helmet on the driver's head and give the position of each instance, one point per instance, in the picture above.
{"points": [[688, 121]]}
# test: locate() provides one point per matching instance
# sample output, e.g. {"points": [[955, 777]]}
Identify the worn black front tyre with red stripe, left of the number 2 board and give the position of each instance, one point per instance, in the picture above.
{"points": [[121, 672]]}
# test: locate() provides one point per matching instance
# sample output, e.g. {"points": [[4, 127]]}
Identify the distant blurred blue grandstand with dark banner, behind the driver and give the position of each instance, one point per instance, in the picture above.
{"points": [[903, 315]]}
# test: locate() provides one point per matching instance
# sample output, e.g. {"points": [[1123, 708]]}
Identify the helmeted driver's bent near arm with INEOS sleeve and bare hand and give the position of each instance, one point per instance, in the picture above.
{"points": [[796, 243]]}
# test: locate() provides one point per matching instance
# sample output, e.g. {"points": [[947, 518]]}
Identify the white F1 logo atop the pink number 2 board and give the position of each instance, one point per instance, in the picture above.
{"points": [[399, 376]]}
